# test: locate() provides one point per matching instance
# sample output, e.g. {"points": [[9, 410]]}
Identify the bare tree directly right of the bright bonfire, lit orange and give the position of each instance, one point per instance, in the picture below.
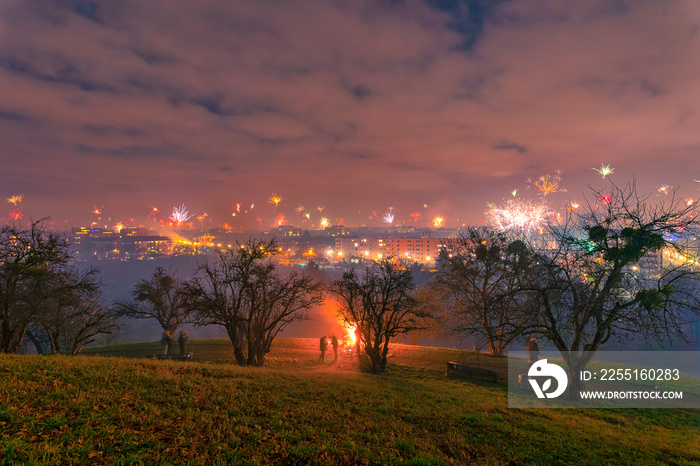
{"points": [[381, 303]]}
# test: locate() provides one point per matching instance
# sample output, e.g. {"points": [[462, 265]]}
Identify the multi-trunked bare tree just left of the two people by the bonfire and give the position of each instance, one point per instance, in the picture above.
{"points": [[243, 292]]}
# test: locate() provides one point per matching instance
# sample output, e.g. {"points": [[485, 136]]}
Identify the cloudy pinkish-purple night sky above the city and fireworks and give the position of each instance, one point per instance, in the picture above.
{"points": [[357, 106]]}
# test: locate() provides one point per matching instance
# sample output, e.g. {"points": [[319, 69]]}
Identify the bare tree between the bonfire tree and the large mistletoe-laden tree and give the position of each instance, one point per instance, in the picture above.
{"points": [[479, 279]]}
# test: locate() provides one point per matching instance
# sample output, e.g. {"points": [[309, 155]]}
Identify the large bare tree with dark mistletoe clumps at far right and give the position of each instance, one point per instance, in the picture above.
{"points": [[602, 274]]}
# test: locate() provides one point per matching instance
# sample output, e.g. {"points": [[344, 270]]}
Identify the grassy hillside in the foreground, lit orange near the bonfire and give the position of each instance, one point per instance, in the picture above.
{"points": [[129, 409]]}
